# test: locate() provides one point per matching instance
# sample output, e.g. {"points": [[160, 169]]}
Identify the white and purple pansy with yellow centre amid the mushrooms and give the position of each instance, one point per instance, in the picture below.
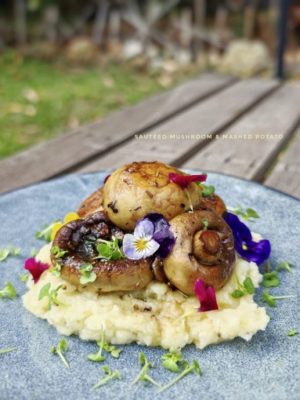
{"points": [[151, 234]]}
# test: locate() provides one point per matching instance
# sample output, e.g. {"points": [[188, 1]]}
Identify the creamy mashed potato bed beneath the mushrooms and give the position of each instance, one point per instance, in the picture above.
{"points": [[156, 316]]}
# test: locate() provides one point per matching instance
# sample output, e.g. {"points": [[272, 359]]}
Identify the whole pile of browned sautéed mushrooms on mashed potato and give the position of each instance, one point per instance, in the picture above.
{"points": [[203, 248]]}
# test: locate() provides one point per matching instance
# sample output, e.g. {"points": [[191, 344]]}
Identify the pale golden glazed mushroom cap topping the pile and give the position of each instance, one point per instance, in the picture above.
{"points": [[139, 188]]}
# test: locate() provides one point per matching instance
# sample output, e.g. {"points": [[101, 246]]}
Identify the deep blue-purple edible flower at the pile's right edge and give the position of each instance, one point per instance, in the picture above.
{"points": [[257, 252]]}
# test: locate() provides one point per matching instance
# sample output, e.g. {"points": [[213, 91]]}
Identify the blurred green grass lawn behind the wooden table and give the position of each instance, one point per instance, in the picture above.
{"points": [[39, 99]]}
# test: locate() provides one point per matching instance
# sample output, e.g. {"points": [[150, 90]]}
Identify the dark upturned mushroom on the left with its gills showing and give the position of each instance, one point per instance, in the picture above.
{"points": [[79, 239]]}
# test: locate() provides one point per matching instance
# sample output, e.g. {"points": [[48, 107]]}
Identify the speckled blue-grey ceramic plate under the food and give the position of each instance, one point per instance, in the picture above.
{"points": [[268, 367]]}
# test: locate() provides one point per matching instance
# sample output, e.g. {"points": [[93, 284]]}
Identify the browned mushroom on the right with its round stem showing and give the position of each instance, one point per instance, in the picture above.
{"points": [[203, 249]]}
